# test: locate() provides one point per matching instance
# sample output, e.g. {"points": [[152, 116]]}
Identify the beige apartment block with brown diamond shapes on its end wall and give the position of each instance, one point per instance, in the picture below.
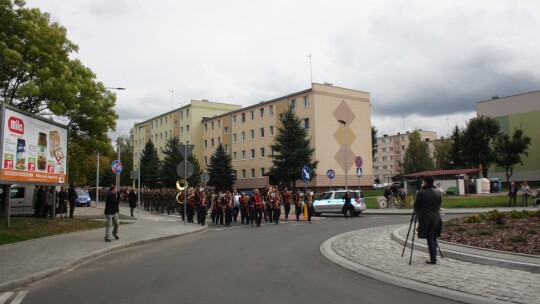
{"points": [[247, 134]]}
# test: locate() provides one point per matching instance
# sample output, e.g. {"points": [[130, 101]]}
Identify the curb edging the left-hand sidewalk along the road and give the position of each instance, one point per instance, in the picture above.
{"points": [[82, 260]]}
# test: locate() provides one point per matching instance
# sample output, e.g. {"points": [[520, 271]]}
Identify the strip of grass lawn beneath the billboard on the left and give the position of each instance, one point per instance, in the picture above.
{"points": [[27, 228]]}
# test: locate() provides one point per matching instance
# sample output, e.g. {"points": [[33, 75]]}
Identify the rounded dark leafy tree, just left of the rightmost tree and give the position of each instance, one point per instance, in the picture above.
{"points": [[476, 142]]}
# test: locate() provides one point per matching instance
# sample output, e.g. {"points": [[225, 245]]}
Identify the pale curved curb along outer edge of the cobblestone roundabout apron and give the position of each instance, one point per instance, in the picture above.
{"points": [[329, 253]]}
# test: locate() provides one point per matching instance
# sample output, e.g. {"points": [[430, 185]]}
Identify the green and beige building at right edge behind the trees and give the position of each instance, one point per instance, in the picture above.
{"points": [[511, 112]]}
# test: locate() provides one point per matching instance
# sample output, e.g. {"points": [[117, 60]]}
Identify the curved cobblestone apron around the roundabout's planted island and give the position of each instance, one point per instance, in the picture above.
{"points": [[372, 252]]}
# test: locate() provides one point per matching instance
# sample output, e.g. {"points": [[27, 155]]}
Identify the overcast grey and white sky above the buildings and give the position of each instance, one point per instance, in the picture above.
{"points": [[425, 63]]}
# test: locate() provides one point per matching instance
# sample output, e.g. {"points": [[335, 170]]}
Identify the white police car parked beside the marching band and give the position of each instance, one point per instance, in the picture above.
{"points": [[332, 202]]}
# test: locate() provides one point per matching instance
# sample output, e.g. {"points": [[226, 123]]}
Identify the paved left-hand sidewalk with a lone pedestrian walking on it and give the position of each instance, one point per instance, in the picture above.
{"points": [[29, 261]]}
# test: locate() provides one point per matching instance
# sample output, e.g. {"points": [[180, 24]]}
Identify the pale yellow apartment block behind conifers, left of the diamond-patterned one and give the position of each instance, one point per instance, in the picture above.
{"points": [[184, 123]]}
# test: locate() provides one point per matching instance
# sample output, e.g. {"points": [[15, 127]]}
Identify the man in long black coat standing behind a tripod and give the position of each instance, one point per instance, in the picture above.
{"points": [[427, 206]]}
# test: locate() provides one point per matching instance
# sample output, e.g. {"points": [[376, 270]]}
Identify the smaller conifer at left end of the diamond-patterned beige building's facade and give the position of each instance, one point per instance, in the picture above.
{"points": [[220, 170]]}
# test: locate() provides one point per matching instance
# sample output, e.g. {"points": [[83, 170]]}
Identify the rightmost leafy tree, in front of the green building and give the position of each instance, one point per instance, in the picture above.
{"points": [[508, 151]]}
